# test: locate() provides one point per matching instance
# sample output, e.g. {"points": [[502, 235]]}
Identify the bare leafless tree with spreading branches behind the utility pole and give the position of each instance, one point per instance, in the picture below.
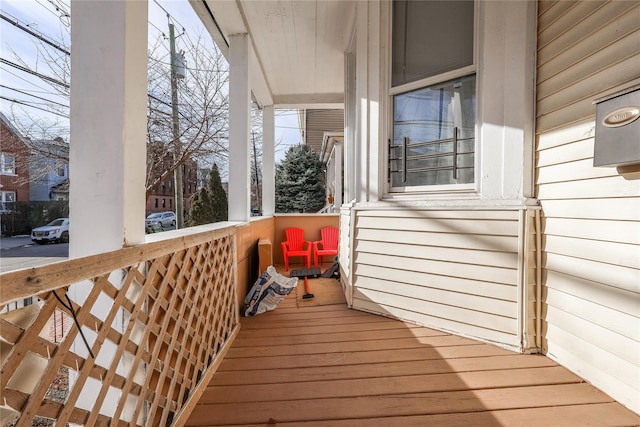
{"points": [[203, 111]]}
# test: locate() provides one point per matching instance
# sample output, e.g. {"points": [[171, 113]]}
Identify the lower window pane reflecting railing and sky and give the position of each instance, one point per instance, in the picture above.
{"points": [[434, 135]]}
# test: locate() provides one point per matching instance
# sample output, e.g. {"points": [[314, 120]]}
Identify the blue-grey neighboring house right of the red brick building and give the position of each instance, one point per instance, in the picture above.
{"points": [[49, 167]]}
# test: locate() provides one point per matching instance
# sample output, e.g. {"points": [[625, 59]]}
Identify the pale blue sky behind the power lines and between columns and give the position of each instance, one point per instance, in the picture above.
{"points": [[51, 19]]}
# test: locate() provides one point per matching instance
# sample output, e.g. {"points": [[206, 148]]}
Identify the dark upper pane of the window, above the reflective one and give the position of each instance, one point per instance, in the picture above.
{"points": [[430, 38]]}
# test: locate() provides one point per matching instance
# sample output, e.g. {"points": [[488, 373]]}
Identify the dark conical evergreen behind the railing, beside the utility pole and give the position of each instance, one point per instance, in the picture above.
{"points": [[209, 204]]}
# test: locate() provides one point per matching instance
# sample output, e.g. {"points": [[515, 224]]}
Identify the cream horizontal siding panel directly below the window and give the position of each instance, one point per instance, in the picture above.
{"points": [[465, 271]]}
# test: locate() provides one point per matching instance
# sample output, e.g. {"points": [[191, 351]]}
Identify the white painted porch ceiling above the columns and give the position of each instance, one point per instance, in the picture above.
{"points": [[298, 45]]}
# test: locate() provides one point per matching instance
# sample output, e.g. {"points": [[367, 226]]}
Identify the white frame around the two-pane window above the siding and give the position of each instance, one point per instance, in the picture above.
{"points": [[400, 192]]}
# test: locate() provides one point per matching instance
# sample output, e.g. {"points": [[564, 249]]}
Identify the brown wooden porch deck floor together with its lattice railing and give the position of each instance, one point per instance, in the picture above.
{"points": [[171, 350]]}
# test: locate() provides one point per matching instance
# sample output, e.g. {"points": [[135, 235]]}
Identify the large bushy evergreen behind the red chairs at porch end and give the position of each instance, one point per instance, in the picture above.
{"points": [[300, 181]]}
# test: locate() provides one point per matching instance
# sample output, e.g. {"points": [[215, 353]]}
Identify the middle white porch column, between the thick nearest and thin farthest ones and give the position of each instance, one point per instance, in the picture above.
{"points": [[239, 128]]}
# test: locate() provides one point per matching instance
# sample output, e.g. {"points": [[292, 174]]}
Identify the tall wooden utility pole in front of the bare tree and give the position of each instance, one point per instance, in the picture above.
{"points": [[177, 146]]}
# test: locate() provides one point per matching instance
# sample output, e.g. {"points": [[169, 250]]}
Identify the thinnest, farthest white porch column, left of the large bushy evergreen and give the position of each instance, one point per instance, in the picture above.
{"points": [[268, 161]]}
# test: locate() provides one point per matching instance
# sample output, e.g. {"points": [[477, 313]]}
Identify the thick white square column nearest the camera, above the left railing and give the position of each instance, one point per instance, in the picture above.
{"points": [[108, 125]]}
